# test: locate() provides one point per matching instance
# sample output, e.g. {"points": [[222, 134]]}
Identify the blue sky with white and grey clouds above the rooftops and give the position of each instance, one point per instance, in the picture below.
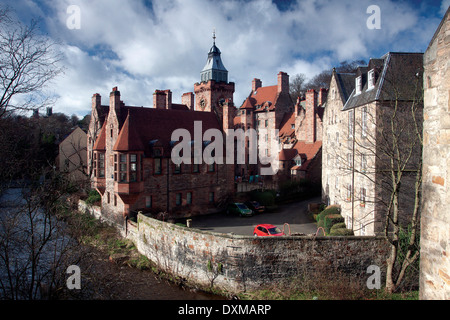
{"points": [[141, 45]]}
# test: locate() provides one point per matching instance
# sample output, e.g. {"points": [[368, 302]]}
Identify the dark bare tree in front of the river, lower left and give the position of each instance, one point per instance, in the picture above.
{"points": [[34, 248]]}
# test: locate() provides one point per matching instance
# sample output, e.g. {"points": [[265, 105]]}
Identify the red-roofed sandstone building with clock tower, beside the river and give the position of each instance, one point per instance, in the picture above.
{"points": [[130, 150]]}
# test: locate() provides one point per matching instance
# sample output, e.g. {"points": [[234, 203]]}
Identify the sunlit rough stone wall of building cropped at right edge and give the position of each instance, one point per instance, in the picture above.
{"points": [[435, 220]]}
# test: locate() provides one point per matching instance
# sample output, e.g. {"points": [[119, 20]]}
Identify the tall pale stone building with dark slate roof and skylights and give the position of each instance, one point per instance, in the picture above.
{"points": [[358, 139]]}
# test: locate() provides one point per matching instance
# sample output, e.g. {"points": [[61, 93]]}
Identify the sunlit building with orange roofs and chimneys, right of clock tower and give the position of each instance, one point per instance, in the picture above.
{"points": [[288, 133]]}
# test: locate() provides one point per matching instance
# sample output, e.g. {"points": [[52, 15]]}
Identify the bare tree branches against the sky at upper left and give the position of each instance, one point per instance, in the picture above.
{"points": [[28, 62]]}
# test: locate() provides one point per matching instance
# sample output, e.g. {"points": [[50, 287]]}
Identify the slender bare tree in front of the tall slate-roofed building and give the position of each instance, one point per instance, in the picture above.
{"points": [[384, 147]]}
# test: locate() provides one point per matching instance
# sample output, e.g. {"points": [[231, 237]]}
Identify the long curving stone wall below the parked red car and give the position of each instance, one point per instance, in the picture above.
{"points": [[241, 263]]}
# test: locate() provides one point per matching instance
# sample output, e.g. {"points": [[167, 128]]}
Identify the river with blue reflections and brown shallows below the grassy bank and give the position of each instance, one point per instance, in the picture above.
{"points": [[101, 279]]}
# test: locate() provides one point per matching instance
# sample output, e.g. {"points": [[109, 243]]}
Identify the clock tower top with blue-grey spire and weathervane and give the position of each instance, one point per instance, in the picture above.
{"points": [[214, 88]]}
